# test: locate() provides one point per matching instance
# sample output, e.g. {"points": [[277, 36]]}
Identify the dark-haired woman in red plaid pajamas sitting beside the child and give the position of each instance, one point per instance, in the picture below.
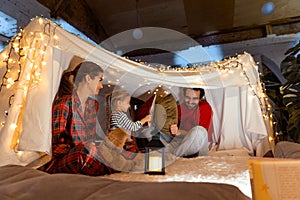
{"points": [[74, 117]]}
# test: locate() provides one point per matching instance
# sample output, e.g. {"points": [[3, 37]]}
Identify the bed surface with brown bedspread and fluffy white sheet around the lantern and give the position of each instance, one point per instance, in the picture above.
{"points": [[186, 178]]}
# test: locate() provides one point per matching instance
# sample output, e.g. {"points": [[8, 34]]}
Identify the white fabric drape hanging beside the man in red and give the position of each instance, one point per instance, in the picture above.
{"points": [[236, 110]]}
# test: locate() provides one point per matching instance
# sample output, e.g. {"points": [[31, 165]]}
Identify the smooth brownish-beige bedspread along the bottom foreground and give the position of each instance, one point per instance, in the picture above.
{"points": [[17, 182]]}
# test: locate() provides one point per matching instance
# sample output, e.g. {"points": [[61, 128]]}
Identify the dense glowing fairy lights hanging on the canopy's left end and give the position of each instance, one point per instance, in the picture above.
{"points": [[26, 48]]}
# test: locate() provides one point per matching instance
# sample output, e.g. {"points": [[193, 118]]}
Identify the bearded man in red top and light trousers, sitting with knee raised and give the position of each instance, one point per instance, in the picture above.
{"points": [[191, 133]]}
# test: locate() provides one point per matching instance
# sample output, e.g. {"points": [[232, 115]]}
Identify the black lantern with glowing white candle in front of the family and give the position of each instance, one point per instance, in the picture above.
{"points": [[155, 156]]}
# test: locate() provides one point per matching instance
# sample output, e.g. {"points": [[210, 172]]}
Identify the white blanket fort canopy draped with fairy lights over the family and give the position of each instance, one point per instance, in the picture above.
{"points": [[32, 64]]}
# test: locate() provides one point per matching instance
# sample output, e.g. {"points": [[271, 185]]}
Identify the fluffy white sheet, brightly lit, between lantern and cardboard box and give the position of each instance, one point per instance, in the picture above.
{"points": [[230, 167]]}
